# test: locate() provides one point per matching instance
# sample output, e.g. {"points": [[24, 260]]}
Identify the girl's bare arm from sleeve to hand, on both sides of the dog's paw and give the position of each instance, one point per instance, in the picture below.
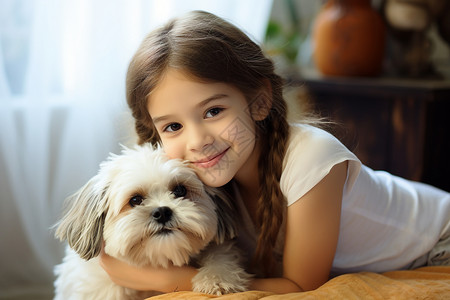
{"points": [[311, 240]]}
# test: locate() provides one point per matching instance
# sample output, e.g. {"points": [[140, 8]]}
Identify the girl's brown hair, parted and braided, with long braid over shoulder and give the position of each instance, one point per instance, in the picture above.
{"points": [[213, 50]]}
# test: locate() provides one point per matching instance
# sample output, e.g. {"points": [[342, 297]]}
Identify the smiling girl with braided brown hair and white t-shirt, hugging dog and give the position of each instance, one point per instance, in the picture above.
{"points": [[307, 207]]}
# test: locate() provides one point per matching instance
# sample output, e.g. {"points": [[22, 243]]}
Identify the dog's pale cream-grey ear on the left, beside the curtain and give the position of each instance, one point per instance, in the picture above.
{"points": [[83, 221]]}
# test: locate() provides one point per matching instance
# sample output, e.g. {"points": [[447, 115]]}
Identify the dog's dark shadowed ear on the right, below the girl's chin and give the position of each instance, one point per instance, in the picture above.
{"points": [[226, 223]]}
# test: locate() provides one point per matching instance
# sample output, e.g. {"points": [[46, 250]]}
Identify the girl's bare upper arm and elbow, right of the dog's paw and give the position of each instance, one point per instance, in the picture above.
{"points": [[311, 236]]}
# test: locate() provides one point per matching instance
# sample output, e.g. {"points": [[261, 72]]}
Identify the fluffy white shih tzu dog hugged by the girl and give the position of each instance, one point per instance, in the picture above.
{"points": [[147, 210]]}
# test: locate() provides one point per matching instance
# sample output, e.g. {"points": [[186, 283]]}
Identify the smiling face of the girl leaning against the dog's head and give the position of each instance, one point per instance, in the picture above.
{"points": [[207, 124]]}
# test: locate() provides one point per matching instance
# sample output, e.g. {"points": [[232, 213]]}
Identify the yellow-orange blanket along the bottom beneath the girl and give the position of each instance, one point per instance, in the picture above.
{"points": [[422, 283]]}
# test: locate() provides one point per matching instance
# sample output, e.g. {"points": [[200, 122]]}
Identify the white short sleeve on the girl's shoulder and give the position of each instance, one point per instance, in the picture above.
{"points": [[310, 155]]}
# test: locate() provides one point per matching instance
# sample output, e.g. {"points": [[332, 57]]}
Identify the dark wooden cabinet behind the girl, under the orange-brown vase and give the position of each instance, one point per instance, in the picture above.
{"points": [[401, 126]]}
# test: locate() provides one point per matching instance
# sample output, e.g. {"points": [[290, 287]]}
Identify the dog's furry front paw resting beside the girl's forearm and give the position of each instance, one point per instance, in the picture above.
{"points": [[220, 284]]}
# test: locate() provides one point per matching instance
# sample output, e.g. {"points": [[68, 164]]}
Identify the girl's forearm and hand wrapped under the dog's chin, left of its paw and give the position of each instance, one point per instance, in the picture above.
{"points": [[147, 278]]}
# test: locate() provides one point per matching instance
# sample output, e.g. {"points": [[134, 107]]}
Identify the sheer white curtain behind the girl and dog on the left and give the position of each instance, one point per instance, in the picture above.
{"points": [[62, 110]]}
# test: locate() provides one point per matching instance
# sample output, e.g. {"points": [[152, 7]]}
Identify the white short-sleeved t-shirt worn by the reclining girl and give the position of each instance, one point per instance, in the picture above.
{"points": [[386, 221]]}
